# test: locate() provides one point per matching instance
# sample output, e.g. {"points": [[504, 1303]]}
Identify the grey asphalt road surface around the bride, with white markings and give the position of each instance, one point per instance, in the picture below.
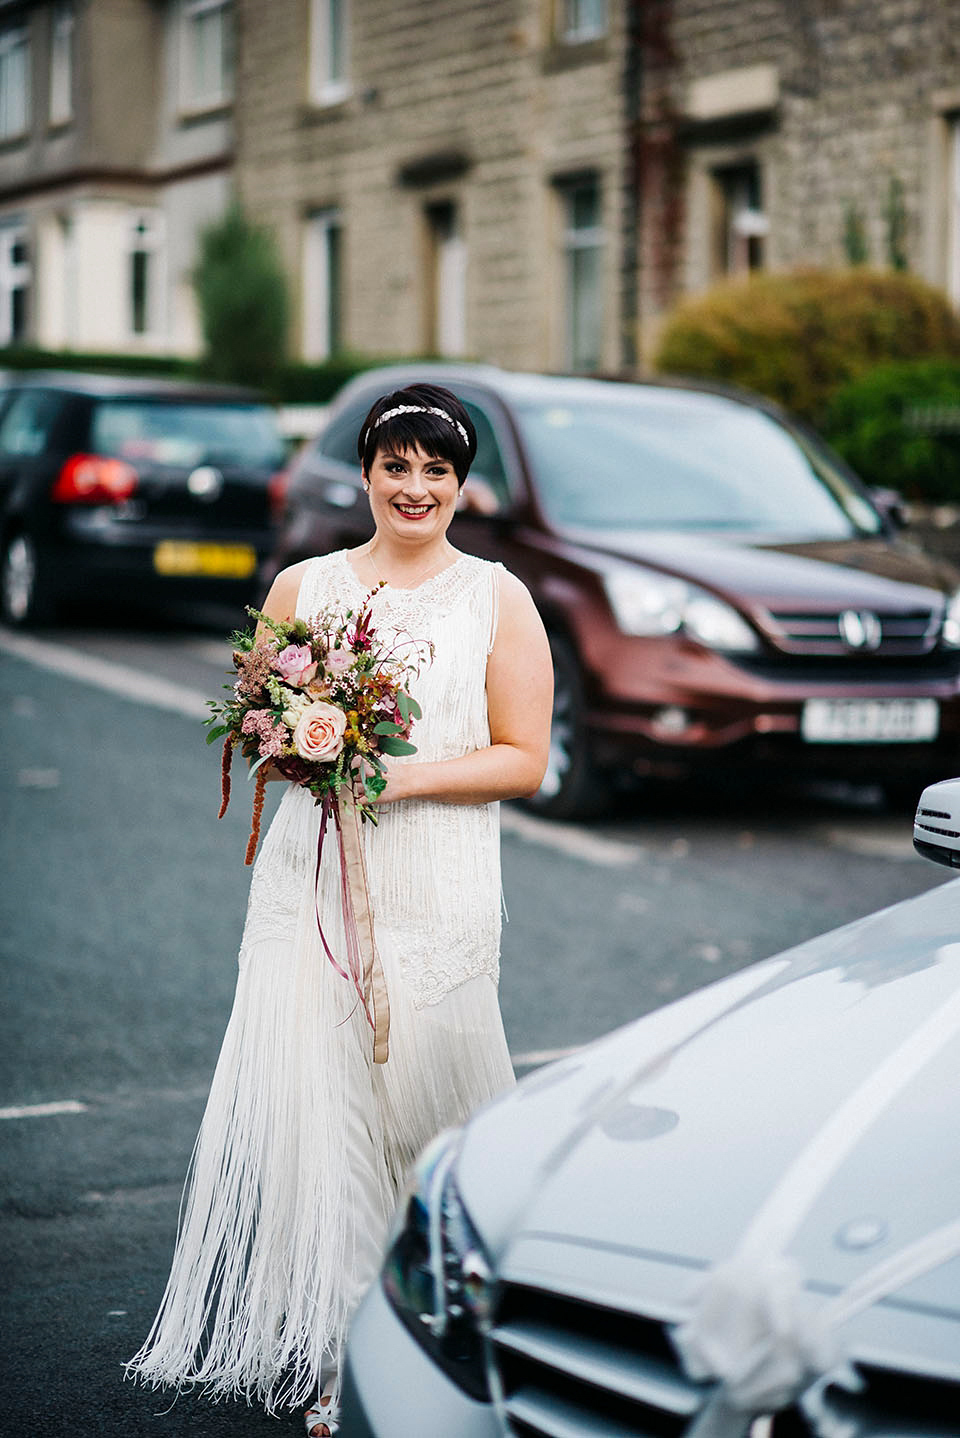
{"points": [[121, 910]]}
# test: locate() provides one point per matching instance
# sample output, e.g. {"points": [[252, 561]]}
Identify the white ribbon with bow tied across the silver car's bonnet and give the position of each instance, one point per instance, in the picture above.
{"points": [[757, 1331]]}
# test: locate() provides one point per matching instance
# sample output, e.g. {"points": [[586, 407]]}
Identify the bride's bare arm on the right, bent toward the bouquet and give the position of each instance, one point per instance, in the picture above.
{"points": [[520, 704]]}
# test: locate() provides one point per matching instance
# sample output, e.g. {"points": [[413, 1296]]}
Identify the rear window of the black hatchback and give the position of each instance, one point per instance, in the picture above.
{"points": [[183, 434]]}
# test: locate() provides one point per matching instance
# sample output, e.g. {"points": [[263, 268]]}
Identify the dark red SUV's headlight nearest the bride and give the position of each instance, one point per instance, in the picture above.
{"points": [[652, 605]]}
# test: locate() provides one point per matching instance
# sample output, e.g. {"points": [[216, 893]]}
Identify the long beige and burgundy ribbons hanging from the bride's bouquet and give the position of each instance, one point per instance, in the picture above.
{"points": [[364, 968]]}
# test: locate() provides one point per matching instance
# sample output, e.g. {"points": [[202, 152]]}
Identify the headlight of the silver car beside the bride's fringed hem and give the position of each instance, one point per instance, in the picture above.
{"points": [[438, 1276]]}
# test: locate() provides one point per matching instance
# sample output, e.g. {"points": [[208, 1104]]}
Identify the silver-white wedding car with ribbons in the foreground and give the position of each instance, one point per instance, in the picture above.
{"points": [[738, 1216]]}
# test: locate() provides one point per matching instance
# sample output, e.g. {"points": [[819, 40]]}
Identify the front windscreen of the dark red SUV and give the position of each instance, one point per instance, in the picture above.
{"points": [[682, 461]]}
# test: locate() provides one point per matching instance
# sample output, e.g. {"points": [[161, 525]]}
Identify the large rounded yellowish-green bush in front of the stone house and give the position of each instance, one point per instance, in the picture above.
{"points": [[800, 337]]}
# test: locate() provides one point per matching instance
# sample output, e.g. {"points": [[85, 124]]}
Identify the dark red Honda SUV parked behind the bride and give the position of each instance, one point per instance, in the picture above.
{"points": [[719, 589]]}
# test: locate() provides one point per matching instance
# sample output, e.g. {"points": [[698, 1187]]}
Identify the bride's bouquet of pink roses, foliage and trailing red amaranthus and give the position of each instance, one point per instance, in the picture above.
{"points": [[323, 700]]}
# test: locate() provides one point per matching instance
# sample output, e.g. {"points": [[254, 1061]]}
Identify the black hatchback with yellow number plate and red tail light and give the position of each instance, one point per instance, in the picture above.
{"points": [[120, 490]]}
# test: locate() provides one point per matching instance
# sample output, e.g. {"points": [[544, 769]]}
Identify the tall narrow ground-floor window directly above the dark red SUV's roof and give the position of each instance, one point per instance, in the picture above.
{"points": [[583, 245]]}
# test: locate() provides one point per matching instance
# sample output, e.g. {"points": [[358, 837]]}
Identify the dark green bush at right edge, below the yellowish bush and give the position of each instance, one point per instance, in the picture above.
{"points": [[899, 426]]}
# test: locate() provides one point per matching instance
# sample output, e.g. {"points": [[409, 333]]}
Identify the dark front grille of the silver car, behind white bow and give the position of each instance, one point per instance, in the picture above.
{"points": [[576, 1370]]}
